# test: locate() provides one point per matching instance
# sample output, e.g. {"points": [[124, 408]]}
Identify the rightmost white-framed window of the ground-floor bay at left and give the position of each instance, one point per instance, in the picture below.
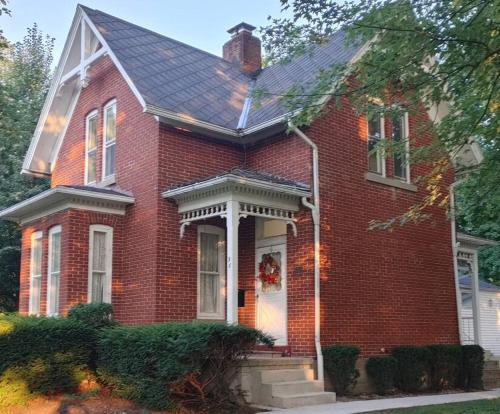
{"points": [[100, 263]]}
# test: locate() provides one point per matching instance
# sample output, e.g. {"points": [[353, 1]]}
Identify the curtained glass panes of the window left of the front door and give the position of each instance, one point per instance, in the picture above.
{"points": [[209, 273]]}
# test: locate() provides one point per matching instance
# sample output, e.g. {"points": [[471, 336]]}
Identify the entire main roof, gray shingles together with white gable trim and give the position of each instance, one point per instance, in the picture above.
{"points": [[174, 81]]}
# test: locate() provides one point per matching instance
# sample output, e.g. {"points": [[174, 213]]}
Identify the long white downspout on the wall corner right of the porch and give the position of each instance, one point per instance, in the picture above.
{"points": [[314, 207]]}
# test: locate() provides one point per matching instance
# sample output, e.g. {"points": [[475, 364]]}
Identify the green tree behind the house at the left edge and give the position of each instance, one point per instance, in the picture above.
{"points": [[24, 81]]}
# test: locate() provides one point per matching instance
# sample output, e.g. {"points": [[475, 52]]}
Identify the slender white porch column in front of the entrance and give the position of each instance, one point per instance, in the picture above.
{"points": [[232, 223]]}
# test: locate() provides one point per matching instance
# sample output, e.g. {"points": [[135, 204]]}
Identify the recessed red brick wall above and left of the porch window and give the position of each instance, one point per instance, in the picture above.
{"points": [[183, 158]]}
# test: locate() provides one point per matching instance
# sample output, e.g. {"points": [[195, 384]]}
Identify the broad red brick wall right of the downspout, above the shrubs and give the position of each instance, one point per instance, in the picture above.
{"points": [[379, 288]]}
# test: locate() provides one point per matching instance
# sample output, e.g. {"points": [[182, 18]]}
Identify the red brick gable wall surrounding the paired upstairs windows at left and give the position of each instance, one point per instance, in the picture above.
{"points": [[136, 171]]}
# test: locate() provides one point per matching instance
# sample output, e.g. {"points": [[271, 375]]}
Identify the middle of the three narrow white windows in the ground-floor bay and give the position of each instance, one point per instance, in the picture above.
{"points": [[54, 271]]}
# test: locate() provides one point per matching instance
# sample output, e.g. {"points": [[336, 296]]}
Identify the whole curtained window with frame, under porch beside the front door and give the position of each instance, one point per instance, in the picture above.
{"points": [[211, 272]]}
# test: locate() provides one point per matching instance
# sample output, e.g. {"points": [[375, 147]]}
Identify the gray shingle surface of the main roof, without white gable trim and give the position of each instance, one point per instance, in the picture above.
{"points": [[180, 78]]}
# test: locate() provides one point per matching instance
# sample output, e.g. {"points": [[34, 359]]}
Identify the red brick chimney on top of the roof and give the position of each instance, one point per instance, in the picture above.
{"points": [[243, 48]]}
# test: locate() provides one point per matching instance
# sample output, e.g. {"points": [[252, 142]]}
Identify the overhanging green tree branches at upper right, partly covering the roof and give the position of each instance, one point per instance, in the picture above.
{"points": [[427, 51]]}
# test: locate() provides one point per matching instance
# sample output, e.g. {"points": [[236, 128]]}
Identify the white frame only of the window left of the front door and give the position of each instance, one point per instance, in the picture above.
{"points": [[220, 314]]}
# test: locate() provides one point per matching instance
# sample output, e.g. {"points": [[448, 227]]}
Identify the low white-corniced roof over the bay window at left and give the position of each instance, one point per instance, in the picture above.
{"points": [[63, 197]]}
